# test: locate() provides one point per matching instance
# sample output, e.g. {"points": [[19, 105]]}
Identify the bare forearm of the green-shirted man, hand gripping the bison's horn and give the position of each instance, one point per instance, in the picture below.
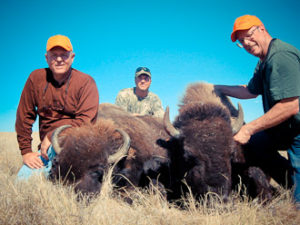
{"points": [[279, 113]]}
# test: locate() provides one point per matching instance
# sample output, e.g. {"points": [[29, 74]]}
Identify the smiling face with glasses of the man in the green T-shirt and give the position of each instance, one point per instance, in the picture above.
{"points": [[252, 40]]}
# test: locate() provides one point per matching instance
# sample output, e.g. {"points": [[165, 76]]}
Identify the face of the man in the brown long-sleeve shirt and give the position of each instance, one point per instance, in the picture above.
{"points": [[59, 60]]}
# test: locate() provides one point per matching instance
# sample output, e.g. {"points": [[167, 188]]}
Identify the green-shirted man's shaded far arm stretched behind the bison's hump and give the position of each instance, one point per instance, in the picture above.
{"points": [[241, 91]]}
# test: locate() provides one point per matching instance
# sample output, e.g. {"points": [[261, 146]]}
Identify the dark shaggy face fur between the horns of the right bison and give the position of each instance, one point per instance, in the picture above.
{"points": [[207, 140]]}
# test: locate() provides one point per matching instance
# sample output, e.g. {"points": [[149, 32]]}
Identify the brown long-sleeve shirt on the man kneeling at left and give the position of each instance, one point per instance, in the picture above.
{"points": [[74, 102]]}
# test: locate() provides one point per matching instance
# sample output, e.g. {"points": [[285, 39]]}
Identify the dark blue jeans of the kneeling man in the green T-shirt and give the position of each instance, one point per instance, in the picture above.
{"points": [[262, 151]]}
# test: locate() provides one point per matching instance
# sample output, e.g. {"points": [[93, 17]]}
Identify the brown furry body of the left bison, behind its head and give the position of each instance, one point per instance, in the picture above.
{"points": [[147, 158]]}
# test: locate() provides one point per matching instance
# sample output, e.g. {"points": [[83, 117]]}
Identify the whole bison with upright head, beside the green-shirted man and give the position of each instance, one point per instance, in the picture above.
{"points": [[203, 131]]}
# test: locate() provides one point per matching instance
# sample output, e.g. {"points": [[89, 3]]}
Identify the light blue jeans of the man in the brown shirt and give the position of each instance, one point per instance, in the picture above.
{"points": [[25, 172]]}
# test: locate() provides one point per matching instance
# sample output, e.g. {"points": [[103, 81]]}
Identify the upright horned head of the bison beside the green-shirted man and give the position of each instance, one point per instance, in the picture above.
{"points": [[204, 130]]}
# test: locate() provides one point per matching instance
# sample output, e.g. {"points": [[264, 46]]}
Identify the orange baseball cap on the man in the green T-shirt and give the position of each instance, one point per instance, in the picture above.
{"points": [[244, 23]]}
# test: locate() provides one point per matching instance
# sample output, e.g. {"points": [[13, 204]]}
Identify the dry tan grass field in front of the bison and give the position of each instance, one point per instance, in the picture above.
{"points": [[38, 201]]}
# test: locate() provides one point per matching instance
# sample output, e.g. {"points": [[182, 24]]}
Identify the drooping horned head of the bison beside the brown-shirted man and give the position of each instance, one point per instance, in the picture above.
{"points": [[85, 153]]}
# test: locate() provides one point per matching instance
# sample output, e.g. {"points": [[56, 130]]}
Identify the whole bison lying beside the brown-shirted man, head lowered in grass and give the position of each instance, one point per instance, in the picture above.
{"points": [[86, 152]]}
